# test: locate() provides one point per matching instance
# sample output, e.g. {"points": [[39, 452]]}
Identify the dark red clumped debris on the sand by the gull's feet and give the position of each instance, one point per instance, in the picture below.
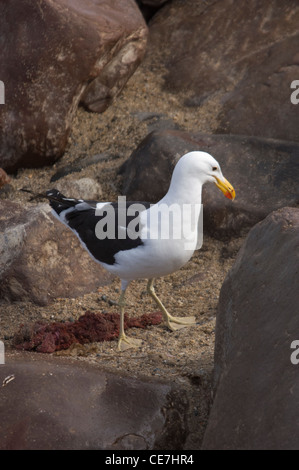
{"points": [[90, 327]]}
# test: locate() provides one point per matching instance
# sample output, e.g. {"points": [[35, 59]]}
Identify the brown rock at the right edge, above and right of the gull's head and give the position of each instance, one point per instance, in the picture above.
{"points": [[265, 94]]}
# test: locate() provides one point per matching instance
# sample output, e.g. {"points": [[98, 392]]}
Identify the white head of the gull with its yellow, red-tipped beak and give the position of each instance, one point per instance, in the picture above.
{"points": [[202, 168]]}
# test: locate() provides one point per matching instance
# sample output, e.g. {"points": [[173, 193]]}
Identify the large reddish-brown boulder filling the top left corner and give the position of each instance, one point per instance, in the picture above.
{"points": [[54, 54]]}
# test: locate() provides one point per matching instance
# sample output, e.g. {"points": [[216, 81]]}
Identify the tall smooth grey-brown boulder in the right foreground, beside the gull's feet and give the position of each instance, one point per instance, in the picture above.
{"points": [[257, 384]]}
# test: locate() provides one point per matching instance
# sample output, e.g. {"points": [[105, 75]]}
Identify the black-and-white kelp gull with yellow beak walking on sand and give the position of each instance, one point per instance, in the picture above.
{"points": [[127, 238]]}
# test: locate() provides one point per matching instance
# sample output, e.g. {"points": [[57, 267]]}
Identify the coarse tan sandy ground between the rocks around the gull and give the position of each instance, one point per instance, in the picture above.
{"points": [[185, 356]]}
